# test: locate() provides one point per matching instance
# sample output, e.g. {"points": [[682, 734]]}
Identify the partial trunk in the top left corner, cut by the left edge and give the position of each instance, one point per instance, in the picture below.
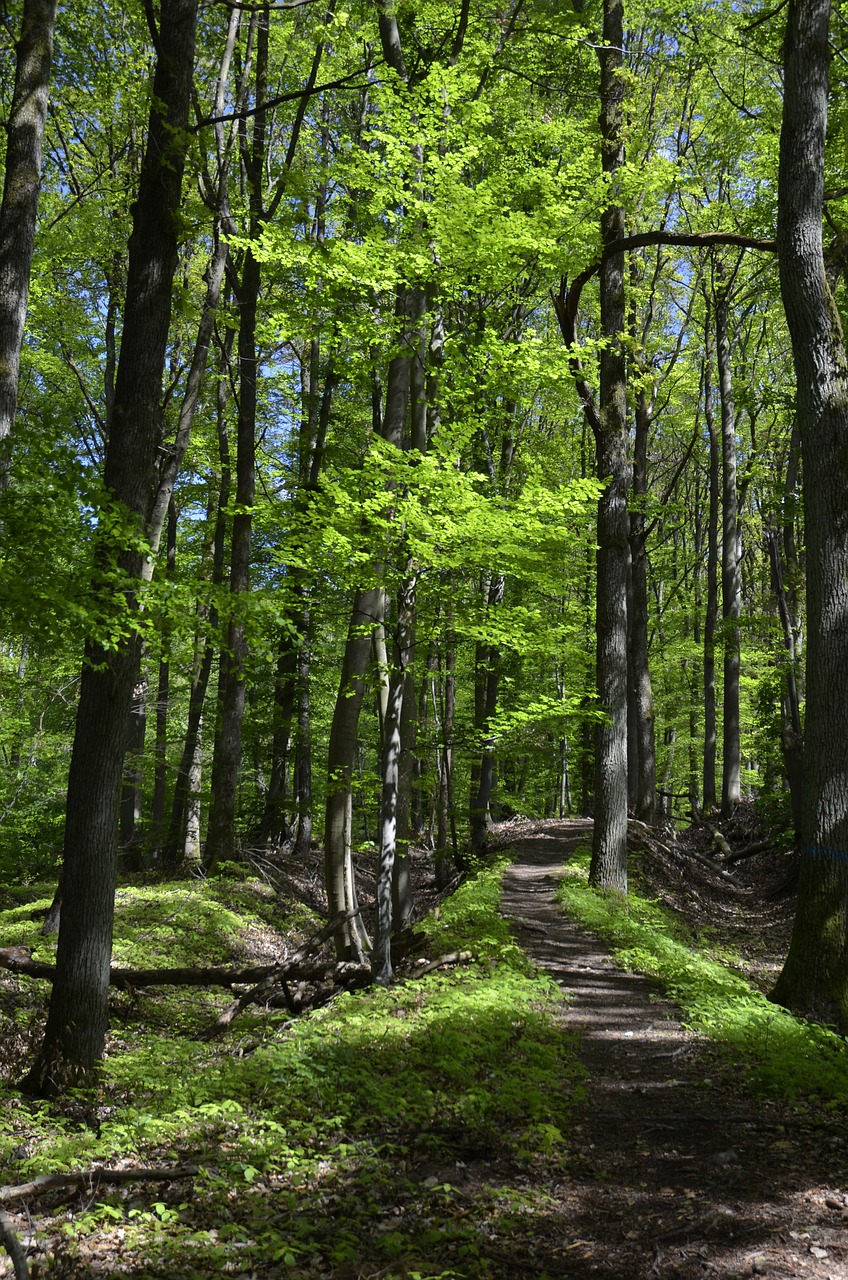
{"points": [[19, 212]]}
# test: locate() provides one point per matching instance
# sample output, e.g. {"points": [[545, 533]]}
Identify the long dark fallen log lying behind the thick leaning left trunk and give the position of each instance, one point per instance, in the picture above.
{"points": [[16, 961]]}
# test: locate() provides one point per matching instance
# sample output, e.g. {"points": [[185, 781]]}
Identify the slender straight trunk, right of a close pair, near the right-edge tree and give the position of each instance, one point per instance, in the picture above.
{"points": [[731, 572]]}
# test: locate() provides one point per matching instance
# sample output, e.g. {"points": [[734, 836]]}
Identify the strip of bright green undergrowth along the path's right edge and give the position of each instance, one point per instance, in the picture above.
{"points": [[782, 1055]]}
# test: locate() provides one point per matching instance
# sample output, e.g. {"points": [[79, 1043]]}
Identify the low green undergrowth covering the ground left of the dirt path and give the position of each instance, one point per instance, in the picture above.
{"points": [[394, 1133]]}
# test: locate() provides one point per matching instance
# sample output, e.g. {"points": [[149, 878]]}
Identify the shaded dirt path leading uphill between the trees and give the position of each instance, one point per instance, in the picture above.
{"points": [[674, 1168]]}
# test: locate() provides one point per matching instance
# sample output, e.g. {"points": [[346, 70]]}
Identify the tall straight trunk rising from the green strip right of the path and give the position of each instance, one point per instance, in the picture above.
{"points": [[609, 867]]}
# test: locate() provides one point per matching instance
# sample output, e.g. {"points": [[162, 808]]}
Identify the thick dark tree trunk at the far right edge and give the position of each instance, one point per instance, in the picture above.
{"points": [[815, 976]]}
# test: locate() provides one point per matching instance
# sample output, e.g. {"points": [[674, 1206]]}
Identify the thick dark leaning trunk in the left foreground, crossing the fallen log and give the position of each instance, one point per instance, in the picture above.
{"points": [[77, 1017]]}
